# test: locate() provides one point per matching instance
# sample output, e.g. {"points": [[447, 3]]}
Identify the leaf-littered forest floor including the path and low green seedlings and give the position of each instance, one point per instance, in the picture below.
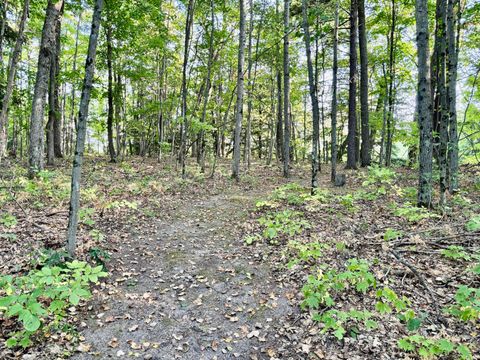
{"points": [[206, 268]]}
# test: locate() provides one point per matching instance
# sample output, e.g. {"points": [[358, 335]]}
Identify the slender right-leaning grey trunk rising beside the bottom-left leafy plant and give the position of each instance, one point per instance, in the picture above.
{"points": [[82, 128]]}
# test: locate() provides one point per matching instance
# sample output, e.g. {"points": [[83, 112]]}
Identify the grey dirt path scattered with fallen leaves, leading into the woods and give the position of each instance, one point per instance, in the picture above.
{"points": [[187, 288]]}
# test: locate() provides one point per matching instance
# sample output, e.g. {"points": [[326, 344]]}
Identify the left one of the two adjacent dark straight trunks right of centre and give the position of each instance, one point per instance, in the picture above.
{"points": [[352, 93]]}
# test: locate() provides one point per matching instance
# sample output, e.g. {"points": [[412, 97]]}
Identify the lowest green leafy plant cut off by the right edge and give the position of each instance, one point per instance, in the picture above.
{"points": [[467, 304]]}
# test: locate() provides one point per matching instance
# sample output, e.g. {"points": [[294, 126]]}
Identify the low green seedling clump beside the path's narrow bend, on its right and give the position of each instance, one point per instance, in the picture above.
{"points": [[287, 223]]}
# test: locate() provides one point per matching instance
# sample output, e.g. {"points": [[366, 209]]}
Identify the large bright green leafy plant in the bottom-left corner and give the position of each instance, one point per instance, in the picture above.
{"points": [[40, 298]]}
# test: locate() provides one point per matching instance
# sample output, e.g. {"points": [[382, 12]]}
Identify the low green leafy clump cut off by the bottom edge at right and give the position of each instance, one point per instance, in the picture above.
{"points": [[429, 348]]}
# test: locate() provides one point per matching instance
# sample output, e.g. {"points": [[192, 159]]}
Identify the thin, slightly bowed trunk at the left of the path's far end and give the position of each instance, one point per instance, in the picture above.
{"points": [[184, 128]]}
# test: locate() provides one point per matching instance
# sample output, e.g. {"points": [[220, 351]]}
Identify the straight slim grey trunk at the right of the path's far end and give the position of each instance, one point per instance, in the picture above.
{"points": [[240, 90]]}
